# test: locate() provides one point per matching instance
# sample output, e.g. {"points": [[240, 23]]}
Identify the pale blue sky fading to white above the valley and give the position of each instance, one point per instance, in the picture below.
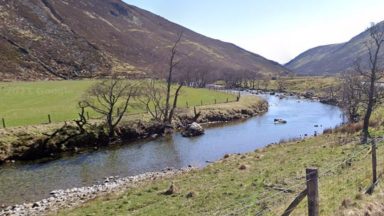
{"points": [[276, 29]]}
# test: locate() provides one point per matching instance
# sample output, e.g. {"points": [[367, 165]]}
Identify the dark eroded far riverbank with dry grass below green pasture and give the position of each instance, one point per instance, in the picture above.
{"points": [[35, 142]]}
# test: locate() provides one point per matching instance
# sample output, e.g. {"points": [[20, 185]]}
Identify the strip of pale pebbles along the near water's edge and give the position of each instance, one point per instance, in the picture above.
{"points": [[70, 198]]}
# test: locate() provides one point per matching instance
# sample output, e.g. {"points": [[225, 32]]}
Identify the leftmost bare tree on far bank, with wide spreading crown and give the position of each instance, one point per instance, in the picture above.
{"points": [[110, 98]]}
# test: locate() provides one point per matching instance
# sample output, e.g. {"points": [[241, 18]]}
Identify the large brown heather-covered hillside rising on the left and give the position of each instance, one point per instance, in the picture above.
{"points": [[49, 39]]}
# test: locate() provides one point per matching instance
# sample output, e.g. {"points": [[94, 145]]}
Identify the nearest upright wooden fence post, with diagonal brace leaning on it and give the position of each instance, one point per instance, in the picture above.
{"points": [[313, 193]]}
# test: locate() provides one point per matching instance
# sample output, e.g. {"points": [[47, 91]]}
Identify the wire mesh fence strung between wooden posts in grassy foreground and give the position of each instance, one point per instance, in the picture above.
{"points": [[351, 167]]}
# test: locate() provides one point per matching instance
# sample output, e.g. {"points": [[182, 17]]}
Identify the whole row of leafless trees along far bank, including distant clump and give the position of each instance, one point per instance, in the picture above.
{"points": [[111, 98]]}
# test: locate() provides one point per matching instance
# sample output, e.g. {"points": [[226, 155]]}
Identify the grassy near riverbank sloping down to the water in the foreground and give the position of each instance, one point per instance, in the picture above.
{"points": [[265, 180]]}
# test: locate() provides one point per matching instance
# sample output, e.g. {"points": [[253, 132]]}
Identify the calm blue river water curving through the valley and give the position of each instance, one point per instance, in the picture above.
{"points": [[27, 182]]}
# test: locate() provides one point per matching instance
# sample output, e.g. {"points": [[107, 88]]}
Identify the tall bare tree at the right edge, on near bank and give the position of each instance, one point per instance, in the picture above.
{"points": [[371, 76]]}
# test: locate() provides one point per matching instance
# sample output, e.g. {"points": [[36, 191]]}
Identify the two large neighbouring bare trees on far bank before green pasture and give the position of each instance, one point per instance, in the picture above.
{"points": [[112, 97]]}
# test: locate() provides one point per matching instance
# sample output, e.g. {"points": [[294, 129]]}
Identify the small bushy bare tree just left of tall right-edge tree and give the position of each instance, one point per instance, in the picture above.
{"points": [[351, 94]]}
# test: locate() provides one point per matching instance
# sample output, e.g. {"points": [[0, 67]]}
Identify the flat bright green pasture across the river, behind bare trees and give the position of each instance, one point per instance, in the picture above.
{"points": [[29, 103]]}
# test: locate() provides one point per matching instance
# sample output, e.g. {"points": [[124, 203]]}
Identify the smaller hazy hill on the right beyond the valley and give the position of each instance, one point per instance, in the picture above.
{"points": [[335, 58]]}
